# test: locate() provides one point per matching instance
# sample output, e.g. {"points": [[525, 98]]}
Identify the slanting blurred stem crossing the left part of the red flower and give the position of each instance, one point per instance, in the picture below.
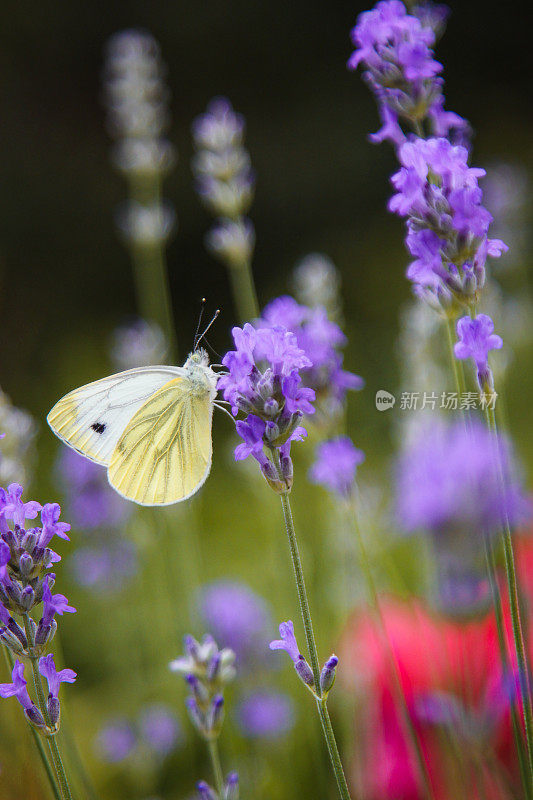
{"points": [[404, 709]]}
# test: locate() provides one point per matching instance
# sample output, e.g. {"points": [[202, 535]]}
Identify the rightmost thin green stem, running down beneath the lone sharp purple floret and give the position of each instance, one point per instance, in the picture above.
{"points": [[512, 584]]}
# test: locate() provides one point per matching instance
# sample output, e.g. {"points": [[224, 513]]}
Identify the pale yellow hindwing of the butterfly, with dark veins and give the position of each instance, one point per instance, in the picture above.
{"points": [[164, 454]]}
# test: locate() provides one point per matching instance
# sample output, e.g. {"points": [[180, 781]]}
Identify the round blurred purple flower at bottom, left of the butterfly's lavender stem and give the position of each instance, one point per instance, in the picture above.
{"points": [[265, 714]]}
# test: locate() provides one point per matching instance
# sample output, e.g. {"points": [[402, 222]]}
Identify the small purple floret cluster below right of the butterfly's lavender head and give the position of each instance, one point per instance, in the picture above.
{"points": [[336, 464]]}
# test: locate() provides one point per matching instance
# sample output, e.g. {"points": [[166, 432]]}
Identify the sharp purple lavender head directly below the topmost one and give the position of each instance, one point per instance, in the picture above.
{"points": [[446, 224]]}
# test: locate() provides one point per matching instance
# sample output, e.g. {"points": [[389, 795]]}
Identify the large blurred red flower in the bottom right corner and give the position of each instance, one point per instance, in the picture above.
{"points": [[458, 700]]}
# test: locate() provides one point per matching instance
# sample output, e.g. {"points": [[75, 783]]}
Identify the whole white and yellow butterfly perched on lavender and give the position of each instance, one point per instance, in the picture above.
{"points": [[150, 426]]}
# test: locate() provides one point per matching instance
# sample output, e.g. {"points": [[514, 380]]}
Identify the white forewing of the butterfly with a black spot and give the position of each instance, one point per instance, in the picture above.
{"points": [[92, 418]]}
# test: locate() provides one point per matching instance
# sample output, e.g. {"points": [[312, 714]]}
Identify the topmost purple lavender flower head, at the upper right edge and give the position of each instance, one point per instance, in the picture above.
{"points": [[396, 51]]}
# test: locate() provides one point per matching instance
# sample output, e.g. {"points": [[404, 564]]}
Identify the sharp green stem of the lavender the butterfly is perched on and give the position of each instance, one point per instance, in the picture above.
{"points": [[310, 638]]}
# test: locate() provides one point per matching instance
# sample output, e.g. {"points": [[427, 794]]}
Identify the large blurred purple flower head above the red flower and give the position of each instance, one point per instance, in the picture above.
{"points": [[449, 479]]}
